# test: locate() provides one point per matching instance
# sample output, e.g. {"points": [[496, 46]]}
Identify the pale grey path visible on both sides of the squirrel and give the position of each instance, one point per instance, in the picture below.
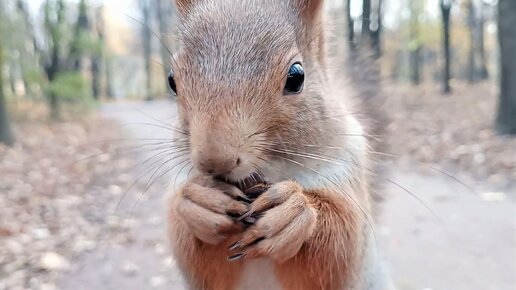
{"points": [[473, 246]]}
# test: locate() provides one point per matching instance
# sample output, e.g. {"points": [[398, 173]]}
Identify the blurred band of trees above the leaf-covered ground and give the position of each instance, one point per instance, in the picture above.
{"points": [[78, 53]]}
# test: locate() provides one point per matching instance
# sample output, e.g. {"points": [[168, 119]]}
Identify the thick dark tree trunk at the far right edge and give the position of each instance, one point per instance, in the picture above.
{"points": [[506, 121]]}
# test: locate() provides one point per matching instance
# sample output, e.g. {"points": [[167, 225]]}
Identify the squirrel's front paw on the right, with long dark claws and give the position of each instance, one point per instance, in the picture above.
{"points": [[285, 220]]}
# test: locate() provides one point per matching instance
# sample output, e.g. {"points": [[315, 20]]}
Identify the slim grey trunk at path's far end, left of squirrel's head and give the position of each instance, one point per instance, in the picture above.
{"points": [[147, 48]]}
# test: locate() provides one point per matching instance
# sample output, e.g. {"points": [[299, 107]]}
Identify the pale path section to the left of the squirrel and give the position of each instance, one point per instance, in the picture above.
{"points": [[143, 261]]}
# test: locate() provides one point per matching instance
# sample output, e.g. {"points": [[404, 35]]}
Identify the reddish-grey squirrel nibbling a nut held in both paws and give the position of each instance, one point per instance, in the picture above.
{"points": [[258, 102]]}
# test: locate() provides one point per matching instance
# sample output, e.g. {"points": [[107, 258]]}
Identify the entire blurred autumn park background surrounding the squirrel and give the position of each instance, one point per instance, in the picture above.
{"points": [[84, 123]]}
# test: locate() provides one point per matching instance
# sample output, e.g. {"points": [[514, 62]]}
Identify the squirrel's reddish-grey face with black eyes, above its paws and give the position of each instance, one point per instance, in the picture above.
{"points": [[249, 81]]}
